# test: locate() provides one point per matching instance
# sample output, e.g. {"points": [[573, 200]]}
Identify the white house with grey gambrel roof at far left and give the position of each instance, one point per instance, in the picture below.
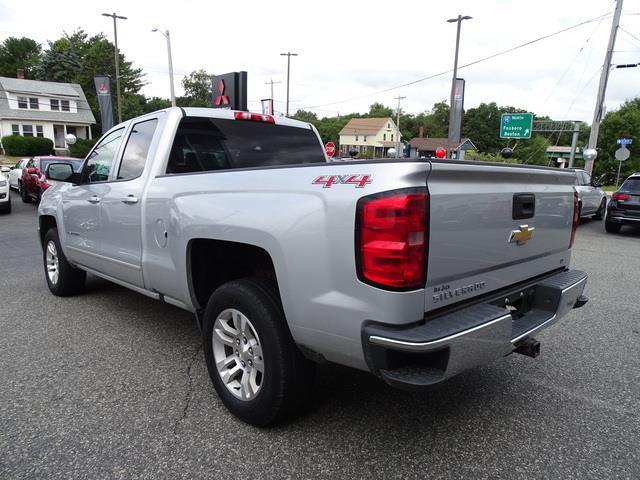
{"points": [[33, 108]]}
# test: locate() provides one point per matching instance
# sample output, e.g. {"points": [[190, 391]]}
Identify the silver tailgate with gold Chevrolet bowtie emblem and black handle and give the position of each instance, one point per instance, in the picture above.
{"points": [[474, 227]]}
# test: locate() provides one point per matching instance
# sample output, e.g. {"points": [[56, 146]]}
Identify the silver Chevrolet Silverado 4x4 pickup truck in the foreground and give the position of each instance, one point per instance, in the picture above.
{"points": [[411, 269]]}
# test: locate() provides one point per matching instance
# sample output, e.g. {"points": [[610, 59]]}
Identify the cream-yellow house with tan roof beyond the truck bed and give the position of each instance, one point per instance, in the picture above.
{"points": [[371, 137]]}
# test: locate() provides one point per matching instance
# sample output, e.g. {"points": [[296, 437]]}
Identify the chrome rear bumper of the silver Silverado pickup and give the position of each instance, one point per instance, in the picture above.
{"points": [[425, 354]]}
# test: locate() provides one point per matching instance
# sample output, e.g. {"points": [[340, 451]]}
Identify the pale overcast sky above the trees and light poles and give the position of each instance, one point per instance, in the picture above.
{"points": [[348, 52]]}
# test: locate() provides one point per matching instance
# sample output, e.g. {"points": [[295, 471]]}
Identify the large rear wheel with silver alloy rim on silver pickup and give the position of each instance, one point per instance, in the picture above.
{"points": [[256, 369]]}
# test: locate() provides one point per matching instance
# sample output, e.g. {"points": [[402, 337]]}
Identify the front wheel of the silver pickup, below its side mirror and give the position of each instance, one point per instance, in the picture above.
{"points": [[62, 278]]}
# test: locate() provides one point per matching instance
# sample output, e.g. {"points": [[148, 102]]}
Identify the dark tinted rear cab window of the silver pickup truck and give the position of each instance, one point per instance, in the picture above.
{"points": [[206, 144]]}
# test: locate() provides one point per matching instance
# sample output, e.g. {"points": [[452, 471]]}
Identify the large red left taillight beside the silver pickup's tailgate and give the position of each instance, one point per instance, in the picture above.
{"points": [[391, 240]]}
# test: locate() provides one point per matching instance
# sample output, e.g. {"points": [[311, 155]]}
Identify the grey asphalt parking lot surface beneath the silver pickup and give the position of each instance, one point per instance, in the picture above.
{"points": [[112, 384]]}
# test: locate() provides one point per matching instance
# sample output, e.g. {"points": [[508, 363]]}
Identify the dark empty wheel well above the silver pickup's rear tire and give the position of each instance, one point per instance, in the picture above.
{"points": [[212, 263]]}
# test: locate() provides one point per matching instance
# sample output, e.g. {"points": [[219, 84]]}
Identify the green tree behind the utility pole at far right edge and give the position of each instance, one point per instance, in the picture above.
{"points": [[621, 123]]}
